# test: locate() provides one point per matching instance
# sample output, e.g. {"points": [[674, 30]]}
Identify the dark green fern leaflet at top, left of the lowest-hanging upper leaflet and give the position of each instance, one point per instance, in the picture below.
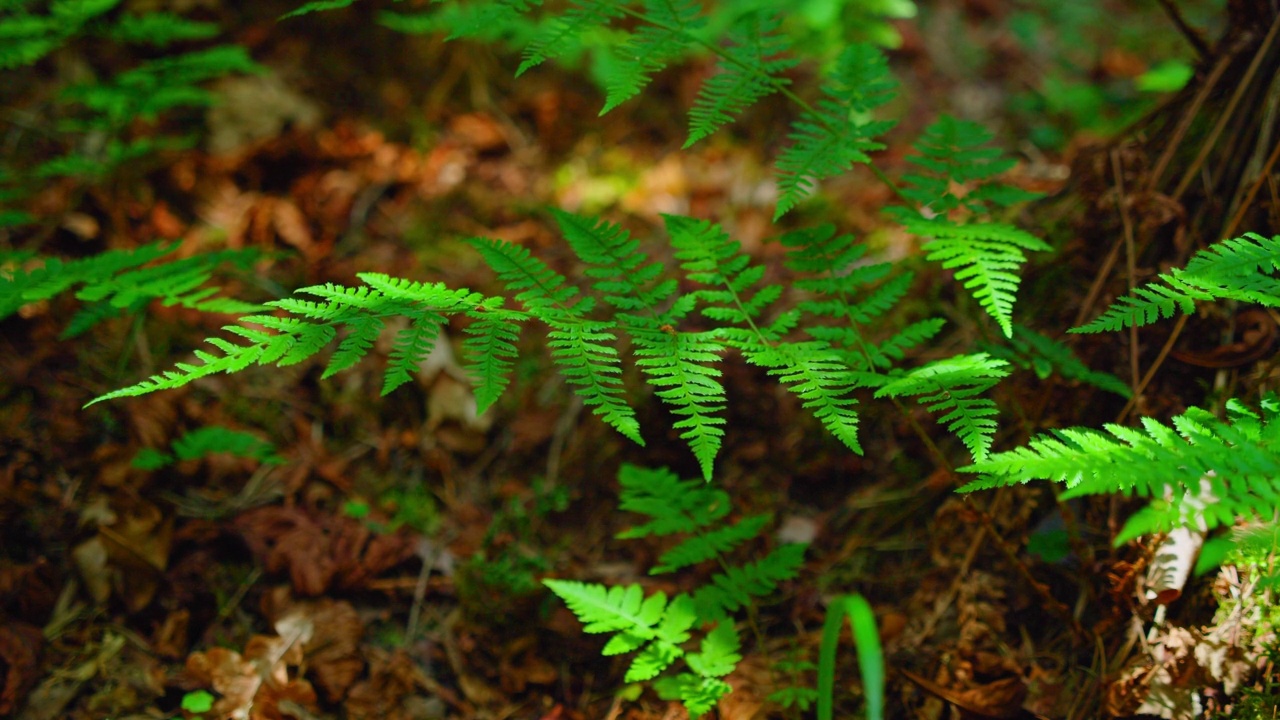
{"points": [[752, 70]]}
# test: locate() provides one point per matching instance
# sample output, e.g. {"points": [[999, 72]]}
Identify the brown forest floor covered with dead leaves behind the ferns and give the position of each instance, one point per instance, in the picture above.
{"points": [[385, 559]]}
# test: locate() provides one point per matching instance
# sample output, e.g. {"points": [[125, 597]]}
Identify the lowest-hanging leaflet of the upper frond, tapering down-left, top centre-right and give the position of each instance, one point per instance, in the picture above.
{"points": [[838, 134]]}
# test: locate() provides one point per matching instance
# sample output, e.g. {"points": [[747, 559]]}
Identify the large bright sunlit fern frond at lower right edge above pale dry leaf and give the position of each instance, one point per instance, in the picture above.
{"points": [[1199, 472]]}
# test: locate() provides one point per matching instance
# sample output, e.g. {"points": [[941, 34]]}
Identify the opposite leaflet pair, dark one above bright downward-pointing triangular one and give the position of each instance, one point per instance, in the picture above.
{"points": [[986, 256]]}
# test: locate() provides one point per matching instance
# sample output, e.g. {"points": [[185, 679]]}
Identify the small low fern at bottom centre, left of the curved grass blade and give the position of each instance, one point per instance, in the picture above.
{"points": [[659, 630]]}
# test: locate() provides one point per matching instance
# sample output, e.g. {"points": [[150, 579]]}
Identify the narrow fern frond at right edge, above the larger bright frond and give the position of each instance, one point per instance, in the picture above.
{"points": [[1232, 270]]}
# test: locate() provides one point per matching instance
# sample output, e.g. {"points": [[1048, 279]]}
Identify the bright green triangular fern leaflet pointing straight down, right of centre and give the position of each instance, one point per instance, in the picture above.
{"points": [[988, 258]]}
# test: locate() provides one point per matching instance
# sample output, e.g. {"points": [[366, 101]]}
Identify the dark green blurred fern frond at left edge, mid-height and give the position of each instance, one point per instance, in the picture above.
{"points": [[125, 281]]}
